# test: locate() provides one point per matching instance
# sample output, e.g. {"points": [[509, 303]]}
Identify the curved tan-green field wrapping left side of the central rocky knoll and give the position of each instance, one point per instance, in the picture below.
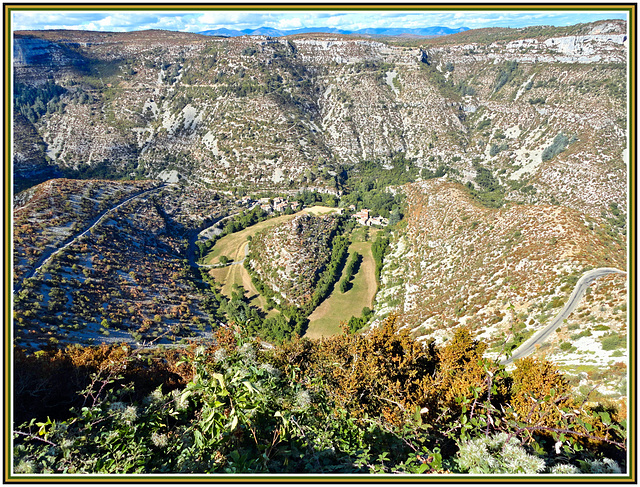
{"points": [[234, 246]]}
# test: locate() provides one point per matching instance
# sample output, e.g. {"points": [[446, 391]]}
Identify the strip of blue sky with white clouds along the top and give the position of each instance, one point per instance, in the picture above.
{"points": [[195, 21]]}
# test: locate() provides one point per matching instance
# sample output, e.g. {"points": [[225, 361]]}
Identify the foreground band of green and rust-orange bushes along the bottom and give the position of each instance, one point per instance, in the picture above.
{"points": [[379, 402]]}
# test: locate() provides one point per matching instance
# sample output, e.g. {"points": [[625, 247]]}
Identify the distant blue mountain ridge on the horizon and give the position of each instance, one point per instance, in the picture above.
{"points": [[393, 31]]}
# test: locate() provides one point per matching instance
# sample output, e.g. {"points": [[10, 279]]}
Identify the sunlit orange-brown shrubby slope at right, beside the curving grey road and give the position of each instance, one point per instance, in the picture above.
{"points": [[502, 272]]}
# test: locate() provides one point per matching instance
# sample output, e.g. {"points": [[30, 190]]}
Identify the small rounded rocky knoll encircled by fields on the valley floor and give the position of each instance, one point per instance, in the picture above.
{"points": [[289, 258]]}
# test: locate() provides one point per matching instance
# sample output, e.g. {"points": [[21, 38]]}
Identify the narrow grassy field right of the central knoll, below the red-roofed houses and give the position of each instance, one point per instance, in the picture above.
{"points": [[339, 307]]}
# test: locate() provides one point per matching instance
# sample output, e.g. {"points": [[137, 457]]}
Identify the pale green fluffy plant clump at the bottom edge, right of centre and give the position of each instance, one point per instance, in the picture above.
{"points": [[501, 453]]}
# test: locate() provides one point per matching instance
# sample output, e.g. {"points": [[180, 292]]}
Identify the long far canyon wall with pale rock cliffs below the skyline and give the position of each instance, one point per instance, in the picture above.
{"points": [[544, 109]]}
